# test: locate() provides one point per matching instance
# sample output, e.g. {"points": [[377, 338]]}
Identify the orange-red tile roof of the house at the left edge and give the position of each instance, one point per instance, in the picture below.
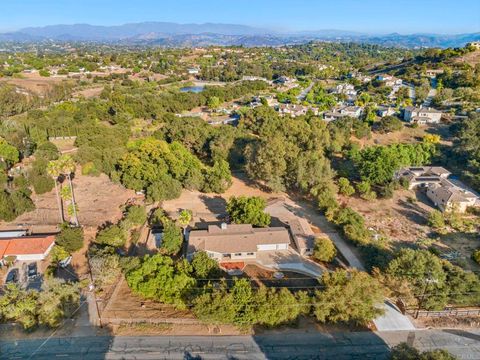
{"points": [[26, 245]]}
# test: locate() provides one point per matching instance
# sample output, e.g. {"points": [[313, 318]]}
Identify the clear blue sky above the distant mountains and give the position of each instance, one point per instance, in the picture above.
{"points": [[369, 16]]}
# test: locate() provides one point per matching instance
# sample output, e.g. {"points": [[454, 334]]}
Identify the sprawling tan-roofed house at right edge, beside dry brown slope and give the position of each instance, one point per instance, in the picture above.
{"points": [[445, 194]]}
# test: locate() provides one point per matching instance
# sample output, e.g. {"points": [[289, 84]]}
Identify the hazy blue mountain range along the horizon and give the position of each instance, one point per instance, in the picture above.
{"points": [[173, 34]]}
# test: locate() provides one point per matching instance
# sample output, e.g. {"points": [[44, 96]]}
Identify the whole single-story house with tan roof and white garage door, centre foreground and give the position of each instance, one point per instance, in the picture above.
{"points": [[227, 242]]}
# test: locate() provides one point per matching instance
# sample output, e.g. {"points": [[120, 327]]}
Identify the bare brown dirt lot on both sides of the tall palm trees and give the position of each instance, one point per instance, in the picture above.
{"points": [[99, 200]]}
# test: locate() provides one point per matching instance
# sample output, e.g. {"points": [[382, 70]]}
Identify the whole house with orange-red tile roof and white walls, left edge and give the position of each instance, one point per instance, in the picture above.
{"points": [[27, 248]]}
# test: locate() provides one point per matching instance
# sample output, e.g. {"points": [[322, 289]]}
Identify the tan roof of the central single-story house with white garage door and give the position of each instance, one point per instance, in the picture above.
{"points": [[235, 238]]}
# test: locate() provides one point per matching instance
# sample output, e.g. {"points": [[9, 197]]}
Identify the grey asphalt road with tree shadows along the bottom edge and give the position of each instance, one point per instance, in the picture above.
{"points": [[338, 346]]}
